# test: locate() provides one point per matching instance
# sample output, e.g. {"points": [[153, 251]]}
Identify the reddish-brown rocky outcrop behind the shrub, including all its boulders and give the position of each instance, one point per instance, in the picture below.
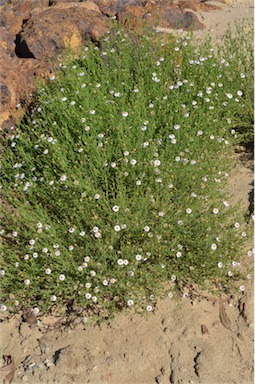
{"points": [[34, 33]]}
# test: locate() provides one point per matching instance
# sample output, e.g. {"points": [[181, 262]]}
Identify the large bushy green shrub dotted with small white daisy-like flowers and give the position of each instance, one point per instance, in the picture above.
{"points": [[115, 179]]}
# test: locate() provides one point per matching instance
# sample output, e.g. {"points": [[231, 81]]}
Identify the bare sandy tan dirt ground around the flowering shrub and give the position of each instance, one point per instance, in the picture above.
{"points": [[199, 340]]}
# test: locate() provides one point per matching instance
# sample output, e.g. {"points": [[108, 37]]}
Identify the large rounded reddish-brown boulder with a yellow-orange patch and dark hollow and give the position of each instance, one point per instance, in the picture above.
{"points": [[48, 33]]}
